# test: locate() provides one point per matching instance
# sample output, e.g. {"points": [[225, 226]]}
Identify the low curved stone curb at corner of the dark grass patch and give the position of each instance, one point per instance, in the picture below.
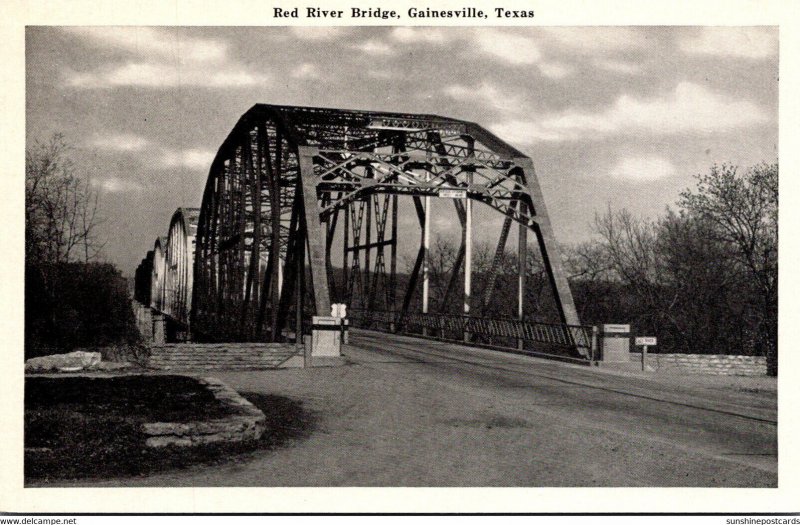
{"points": [[247, 423]]}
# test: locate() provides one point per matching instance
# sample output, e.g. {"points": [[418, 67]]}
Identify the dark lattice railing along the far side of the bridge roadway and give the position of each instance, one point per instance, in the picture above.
{"points": [[527, 336]]}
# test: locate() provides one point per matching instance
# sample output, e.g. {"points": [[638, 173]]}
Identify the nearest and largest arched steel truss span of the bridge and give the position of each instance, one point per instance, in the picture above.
{"points": [[285, 177]]}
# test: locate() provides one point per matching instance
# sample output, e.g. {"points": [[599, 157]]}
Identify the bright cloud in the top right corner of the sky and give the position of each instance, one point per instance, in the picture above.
{"points": [[743, 42]]}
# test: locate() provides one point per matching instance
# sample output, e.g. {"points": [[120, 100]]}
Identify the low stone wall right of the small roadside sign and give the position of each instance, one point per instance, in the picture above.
{"points": [[738, 365]]}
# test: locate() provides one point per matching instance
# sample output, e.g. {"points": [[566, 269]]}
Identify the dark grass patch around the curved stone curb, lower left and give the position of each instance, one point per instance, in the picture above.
{"points": [[75, 432]]}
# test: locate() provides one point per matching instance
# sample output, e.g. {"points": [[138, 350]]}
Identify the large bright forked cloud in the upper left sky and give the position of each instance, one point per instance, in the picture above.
{"points": [[161, 59]]}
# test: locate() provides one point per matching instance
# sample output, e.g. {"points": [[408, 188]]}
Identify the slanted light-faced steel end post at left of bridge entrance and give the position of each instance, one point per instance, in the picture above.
{"points": [[314, 232]]}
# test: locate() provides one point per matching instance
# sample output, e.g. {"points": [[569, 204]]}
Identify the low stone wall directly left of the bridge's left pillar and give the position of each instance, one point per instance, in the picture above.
{"points": [[224, 356]]}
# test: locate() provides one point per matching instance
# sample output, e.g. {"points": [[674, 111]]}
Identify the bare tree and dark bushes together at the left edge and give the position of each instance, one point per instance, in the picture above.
{"points": [[72, 298]]}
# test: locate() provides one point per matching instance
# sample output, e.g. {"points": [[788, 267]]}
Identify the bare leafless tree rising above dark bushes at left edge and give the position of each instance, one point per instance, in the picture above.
{"points": [[60, 207]]}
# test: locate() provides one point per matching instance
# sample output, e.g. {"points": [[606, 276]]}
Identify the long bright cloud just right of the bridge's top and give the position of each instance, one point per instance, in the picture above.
{"points": [[689, 108]]}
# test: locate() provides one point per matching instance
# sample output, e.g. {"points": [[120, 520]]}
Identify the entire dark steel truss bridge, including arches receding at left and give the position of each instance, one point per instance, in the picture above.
{"points": [[293, 188]]}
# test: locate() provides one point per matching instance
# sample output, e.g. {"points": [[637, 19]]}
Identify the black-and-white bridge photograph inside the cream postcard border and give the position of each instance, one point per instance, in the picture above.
{"points": [[429, 247]]}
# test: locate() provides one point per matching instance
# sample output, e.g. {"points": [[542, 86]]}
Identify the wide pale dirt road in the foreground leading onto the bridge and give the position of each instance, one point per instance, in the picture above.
{"points": [[405, 412]]}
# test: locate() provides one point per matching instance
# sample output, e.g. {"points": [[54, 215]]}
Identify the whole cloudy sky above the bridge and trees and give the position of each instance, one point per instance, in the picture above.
{"points": [[617, 116]]}
